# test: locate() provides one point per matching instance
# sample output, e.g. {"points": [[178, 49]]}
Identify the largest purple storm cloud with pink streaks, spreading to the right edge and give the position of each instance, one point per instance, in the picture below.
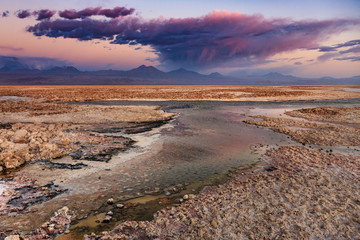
{"points": [[220, 37]]}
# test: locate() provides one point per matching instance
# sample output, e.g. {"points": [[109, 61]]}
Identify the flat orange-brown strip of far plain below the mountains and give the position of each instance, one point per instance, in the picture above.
{"points": [[223, 93]]}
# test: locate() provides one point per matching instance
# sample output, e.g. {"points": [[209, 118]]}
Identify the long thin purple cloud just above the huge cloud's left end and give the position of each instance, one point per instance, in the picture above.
{"points": [[87, 12]]}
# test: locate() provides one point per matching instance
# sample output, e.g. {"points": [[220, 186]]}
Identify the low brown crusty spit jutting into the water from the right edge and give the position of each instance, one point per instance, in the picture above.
{"points": [[322, 132]]}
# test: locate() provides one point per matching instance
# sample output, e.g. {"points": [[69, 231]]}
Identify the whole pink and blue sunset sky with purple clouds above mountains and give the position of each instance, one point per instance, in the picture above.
{"points": [[303, 38]]}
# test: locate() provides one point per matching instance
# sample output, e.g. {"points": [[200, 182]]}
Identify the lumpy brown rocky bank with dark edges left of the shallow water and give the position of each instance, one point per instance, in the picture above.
{"points": [[32, 131]]}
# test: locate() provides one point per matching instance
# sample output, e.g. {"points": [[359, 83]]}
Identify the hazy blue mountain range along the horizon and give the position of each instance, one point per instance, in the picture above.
{"points": [[16, 73]]}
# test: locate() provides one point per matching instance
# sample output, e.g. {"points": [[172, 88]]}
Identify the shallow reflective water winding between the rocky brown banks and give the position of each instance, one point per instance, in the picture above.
{"points": [[197, 149]]}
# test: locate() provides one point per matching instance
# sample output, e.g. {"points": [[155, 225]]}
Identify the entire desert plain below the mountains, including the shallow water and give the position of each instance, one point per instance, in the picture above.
{"points": [[84, 162]]}
